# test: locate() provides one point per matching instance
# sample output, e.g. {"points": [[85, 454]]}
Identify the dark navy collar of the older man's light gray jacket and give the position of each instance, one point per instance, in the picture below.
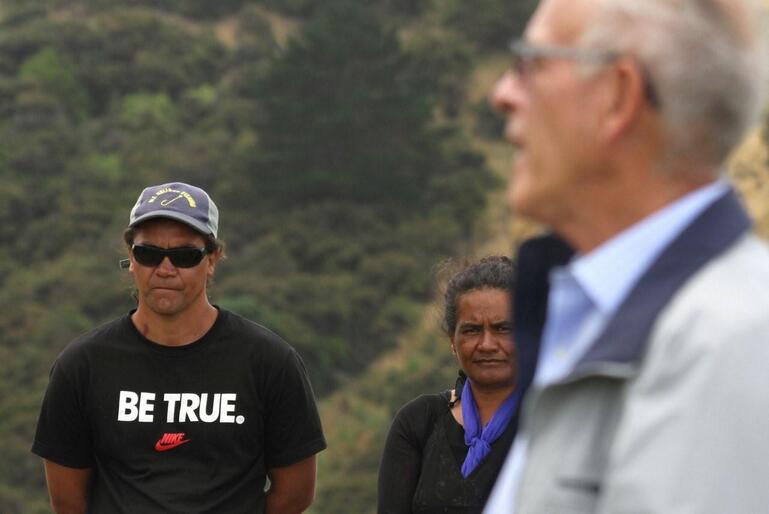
{"points": [[623, 341]]}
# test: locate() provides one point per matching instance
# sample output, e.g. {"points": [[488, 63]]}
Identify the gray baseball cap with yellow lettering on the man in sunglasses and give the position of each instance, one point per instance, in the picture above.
{"points": [[177, 201]]}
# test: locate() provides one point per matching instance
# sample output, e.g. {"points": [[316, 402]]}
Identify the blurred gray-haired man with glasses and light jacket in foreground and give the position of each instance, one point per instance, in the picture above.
{"points": [[651, 300]]}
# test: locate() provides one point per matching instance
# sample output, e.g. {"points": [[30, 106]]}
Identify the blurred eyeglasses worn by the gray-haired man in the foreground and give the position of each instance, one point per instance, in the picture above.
{"points": [[526, 56]]}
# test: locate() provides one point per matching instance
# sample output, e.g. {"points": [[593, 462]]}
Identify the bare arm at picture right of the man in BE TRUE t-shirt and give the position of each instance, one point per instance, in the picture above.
{"points": [[292, 488]]}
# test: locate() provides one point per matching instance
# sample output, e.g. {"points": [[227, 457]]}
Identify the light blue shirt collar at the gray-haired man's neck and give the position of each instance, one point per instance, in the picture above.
{"points": [[609, 272]]}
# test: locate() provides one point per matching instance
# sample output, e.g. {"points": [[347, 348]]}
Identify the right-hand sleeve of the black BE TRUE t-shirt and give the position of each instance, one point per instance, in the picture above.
{"points": [[293, 430]]}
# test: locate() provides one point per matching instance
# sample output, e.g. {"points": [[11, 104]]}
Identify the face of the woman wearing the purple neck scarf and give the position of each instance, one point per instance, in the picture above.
{"points": [[483, 340]]}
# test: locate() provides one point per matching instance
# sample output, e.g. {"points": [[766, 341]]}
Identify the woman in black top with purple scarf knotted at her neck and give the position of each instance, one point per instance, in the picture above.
{"points": [[444, 451]]}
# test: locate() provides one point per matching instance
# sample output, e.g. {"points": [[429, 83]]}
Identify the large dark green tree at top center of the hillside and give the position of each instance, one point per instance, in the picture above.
{"points": [[345, 117]]}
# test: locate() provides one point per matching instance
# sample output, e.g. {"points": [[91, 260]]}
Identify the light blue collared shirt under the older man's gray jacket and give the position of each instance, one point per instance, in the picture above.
{"points": [[599, 282]]}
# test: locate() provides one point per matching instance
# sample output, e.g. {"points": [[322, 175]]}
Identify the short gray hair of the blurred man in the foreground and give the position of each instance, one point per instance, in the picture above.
{"points": [[706, 59]]}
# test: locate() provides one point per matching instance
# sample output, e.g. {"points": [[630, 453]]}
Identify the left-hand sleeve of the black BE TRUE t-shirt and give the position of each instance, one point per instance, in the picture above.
{"points": [[63, 433]]}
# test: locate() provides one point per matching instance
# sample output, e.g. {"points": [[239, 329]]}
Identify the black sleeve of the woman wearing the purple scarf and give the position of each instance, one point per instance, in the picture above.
{"points": [[401, 461]]}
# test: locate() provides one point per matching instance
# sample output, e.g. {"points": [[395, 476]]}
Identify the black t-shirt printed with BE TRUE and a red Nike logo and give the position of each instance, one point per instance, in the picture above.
{"points": [[187, 429]]}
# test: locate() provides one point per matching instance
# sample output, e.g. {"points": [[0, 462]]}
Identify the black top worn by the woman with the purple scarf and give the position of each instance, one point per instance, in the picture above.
{"points": [[420, 471]]}
